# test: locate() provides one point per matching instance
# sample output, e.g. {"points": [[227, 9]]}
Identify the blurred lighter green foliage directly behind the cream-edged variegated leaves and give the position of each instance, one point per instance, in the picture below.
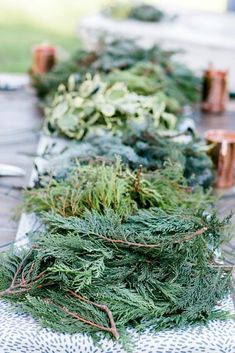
{"points": [[173, 80]]}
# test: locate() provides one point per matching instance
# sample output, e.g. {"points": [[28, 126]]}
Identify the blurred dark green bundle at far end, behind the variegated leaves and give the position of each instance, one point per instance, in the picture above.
{"points": [[153, 70]]}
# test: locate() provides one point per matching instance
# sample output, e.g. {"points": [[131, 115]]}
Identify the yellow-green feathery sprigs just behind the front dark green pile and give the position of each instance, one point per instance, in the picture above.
{"points": [[100, 187]]}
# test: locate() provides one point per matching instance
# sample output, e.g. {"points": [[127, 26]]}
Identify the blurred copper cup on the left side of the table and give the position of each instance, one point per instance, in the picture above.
{"points": [[44, 58]]}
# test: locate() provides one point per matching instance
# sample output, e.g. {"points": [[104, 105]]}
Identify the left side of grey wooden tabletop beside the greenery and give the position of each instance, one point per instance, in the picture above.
{"points": [[19, 125]]}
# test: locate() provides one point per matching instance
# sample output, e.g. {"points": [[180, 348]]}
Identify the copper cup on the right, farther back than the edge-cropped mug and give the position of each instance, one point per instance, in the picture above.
{"points": [[215, 90]]}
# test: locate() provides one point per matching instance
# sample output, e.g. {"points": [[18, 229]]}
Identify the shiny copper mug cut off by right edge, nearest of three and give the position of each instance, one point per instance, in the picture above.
{"points": [[223, 155]]}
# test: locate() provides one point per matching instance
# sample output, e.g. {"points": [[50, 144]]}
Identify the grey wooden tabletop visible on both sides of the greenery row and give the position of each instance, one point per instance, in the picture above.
{"points": [[20, 122]]}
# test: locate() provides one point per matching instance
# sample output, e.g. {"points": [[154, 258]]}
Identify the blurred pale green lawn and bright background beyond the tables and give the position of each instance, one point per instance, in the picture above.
{"points": [[24, 23]]}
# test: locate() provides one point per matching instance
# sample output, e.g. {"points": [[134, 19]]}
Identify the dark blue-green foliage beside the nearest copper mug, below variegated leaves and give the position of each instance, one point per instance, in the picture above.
{"points": [[196, 164]]}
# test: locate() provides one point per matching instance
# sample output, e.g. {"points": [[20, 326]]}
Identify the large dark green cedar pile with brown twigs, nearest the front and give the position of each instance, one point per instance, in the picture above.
{"points": [[98, 273]]}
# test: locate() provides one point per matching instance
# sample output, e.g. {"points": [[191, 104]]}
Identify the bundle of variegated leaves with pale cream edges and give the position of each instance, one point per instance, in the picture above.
{"points": [[75, 112]]}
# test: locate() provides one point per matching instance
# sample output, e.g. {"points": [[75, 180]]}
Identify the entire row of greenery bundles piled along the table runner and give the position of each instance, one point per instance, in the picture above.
{"points": [[122, 245]]}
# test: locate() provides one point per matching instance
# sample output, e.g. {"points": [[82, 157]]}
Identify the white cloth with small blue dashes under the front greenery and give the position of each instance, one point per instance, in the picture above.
{"points": [[20, 333]]}
